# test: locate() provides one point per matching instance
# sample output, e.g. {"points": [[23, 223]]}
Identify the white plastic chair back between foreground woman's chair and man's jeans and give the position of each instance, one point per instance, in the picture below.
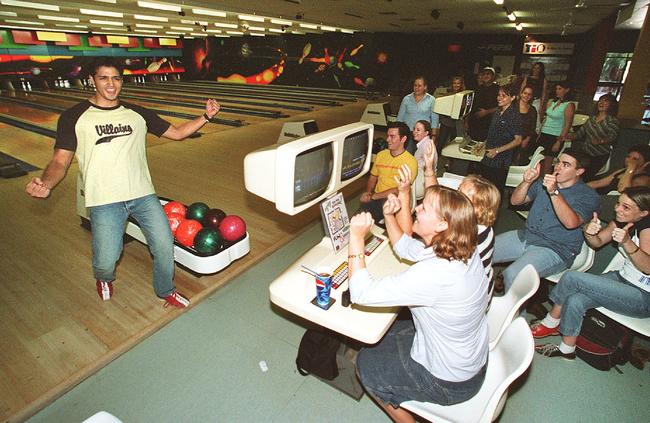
{"points": [[504, 309]]}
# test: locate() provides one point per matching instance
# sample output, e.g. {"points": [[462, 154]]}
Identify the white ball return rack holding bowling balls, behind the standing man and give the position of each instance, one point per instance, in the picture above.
{"points": [[197, 263]]}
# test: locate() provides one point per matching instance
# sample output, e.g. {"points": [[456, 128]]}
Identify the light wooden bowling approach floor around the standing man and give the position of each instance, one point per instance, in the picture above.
{"points": [[54, 329]]}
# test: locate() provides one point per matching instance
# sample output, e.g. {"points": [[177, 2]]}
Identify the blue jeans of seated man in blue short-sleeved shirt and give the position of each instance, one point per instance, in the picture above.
{"points": [[508, 247]]}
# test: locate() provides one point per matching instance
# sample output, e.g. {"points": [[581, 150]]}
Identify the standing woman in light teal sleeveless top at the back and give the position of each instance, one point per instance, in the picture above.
{"points": [[559, 117]]}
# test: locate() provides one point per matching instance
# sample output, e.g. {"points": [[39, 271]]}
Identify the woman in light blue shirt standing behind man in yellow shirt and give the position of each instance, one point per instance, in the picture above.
{"points": [[418, 106]]}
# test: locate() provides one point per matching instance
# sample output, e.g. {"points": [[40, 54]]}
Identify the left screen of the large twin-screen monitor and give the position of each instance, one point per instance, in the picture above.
{"points": [[312, 173]]}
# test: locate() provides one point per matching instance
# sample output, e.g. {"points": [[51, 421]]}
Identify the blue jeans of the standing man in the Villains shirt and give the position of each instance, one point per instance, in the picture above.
{"points": [[108, 223]]}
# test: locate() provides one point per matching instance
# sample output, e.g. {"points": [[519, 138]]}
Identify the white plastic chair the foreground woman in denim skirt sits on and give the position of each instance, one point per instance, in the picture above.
{"points": [[509, 360]]}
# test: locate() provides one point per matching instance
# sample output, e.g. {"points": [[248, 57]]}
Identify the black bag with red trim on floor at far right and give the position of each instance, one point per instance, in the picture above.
{"points": [[603, 343]]}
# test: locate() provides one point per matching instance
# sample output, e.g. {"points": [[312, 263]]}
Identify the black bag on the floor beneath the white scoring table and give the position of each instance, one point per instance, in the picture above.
{"points": [[317, 354]]}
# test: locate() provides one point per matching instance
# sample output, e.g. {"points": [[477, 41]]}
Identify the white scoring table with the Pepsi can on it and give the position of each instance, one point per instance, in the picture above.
{"points": [[294, 290]]}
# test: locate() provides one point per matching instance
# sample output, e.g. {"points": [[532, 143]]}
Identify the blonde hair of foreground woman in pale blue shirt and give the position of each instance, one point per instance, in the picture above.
{"points": [[458, 241]]}
